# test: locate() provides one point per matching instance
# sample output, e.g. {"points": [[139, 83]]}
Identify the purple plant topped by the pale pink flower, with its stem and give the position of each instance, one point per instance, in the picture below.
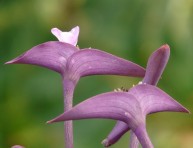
{"points": [[72, 63]]}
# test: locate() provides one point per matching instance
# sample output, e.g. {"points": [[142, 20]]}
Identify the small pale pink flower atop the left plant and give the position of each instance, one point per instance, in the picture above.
{"points": [[70, 37]]}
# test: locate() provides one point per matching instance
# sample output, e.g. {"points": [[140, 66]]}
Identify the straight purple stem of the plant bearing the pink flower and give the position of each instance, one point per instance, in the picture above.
{"points": [[68, 88]]}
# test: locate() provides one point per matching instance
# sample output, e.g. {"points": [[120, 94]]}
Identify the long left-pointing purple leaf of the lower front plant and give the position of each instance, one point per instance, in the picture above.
{"points": [[113, 105]]}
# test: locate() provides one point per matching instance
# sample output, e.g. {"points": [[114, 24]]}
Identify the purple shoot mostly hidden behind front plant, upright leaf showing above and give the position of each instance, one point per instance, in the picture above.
{"points": [[155, 66]]}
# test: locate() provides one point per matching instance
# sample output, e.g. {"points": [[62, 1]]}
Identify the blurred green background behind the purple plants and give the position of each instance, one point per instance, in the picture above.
{"points": [[132, 29]]}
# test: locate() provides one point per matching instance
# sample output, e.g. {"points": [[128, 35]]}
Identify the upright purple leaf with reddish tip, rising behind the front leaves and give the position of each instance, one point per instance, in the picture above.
{"points": [[156, 65]]}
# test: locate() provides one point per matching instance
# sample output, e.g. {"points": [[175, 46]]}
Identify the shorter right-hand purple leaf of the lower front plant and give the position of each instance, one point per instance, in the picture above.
{"points": [[153, 99]]}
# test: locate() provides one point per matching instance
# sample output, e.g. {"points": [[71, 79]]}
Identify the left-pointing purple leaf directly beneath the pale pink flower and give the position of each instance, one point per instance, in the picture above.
{"points": [[52, 55]]}
